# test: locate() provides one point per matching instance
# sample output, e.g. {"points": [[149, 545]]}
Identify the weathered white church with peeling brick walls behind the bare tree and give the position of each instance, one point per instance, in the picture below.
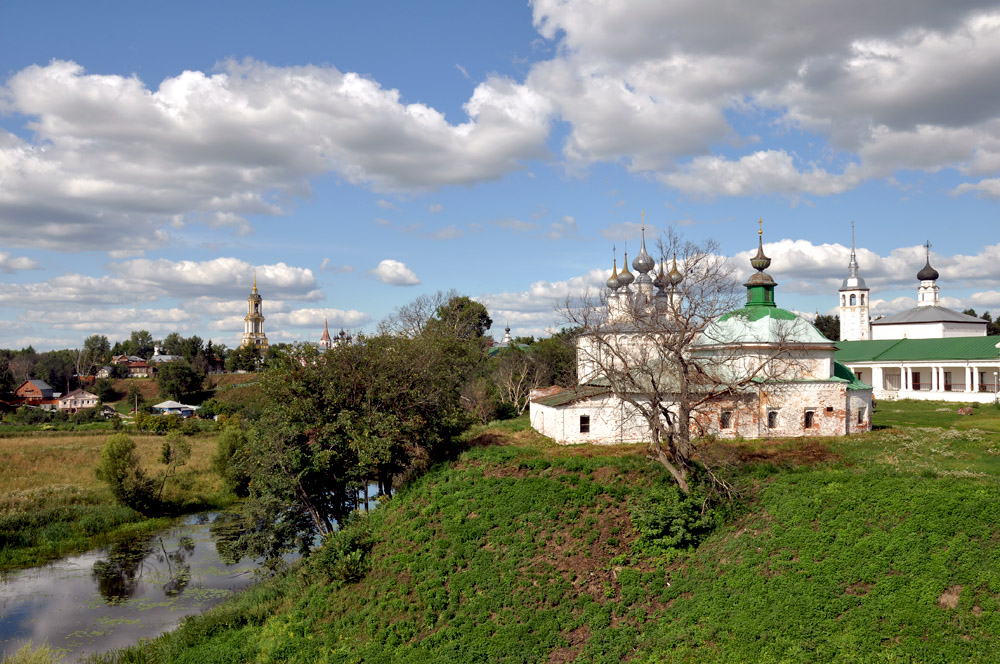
{"points": [[786, 383]]}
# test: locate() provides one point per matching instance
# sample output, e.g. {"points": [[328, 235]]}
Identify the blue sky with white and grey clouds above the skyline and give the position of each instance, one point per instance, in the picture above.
{"points": [[359, 155]]}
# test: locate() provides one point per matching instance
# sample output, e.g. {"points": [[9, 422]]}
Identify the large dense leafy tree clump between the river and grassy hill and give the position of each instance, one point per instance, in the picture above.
{"points": [[366, 411]]}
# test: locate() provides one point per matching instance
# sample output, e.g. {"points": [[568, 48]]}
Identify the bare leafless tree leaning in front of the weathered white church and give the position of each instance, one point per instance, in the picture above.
{"points": [[665, 349]]}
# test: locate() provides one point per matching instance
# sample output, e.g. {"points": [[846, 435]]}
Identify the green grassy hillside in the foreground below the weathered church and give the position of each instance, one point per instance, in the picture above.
{"points": [[876, 548]]}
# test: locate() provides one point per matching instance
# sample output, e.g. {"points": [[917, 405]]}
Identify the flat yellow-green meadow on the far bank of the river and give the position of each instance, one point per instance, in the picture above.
{"points": [[51, 503]]}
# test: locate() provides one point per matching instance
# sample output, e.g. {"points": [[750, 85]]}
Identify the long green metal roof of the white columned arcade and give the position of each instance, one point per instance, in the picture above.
{"points": [[909, 350]]}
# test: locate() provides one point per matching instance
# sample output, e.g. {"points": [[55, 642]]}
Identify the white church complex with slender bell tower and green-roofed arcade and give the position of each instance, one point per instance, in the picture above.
{"points": [[928, 352]]}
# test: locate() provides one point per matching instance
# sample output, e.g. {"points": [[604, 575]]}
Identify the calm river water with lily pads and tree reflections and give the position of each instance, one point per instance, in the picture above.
{"points": [[113, 597]]}
